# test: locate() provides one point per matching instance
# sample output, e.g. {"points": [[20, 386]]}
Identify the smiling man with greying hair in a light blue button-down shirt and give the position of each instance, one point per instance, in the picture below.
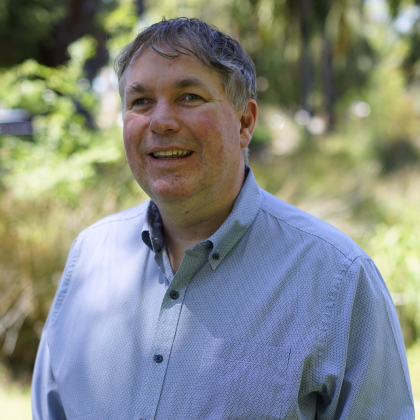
{"points": [[214, 300]]}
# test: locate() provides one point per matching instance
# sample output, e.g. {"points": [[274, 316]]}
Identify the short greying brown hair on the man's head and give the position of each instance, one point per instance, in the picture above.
{"points": [[219, 52]]}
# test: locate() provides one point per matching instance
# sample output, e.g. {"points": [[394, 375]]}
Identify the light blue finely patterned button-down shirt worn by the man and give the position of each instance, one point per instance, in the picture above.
{"points": [[278, 315]]}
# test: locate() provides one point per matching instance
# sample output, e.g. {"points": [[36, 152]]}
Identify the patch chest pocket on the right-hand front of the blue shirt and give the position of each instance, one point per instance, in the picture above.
{"points": [[240, 380]]}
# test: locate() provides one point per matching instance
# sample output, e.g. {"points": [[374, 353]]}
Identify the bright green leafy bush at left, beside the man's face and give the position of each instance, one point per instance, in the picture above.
{"points": [[60, 157]]}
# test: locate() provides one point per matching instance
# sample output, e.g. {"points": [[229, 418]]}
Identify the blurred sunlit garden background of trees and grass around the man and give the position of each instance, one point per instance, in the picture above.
{"points": [[338, 135]]}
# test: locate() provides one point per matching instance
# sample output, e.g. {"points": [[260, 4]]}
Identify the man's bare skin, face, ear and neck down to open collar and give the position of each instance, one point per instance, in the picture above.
{"points": [[184, 142]]}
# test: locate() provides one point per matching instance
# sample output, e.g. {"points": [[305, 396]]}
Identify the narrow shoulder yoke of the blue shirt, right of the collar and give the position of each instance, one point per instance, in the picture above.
{"points": [[310, 227]]}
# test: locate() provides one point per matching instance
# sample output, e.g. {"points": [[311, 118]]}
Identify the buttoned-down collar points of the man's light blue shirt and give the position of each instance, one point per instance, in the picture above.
{"points": [[240, 219]]}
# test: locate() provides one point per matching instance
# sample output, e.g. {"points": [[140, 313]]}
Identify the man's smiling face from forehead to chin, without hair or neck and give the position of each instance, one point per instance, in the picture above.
{"points": [[182, 136]]}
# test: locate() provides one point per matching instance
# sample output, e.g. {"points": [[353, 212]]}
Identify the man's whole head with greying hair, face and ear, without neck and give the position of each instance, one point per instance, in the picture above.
{"points": [[187, 113]]}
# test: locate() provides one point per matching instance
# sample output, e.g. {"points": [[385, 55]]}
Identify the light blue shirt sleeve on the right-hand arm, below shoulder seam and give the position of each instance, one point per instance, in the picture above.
{"points": [[363, 365]]}
